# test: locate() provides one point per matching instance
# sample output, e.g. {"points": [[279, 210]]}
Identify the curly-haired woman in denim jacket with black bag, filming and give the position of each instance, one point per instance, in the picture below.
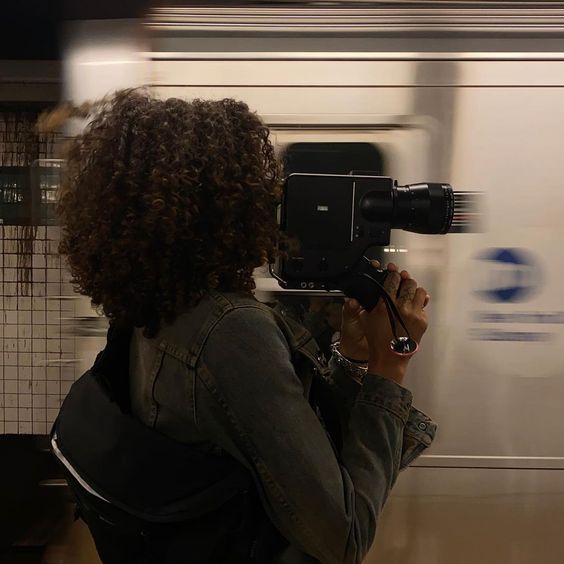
{"points": [[167, 208]]}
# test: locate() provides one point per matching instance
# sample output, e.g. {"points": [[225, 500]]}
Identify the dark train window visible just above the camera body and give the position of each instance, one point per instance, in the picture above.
{"points": [[332, 158]]}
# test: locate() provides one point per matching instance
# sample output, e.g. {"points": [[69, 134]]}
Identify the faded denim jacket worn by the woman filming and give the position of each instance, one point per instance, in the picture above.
{"points": [[226, 376]]}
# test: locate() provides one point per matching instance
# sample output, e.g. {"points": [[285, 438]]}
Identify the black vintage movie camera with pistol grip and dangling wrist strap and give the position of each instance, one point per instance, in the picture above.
{"points": [[334, 219]]}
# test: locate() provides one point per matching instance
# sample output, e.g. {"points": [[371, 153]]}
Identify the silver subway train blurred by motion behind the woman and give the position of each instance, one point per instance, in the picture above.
{"points": [[468, 93]]}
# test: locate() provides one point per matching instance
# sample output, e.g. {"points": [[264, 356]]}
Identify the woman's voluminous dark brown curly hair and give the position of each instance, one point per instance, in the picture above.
{"points": [[164, 200]]}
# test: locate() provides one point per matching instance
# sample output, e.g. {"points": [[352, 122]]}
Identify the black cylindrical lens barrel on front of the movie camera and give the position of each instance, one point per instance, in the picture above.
{"points": [[423, 208]]}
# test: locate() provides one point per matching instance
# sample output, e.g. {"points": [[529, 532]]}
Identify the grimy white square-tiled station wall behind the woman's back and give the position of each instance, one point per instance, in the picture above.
{"points": [[38, 353]]}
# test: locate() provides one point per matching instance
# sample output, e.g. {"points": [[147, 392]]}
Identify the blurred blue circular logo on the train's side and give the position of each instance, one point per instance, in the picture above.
{"points": [[507, 275]]}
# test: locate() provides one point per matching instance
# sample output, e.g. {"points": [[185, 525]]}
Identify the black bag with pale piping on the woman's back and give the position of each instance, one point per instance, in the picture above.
{"points": [[147, 498]]}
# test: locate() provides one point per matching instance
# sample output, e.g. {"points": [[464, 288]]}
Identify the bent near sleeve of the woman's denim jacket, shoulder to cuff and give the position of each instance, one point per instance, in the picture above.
{"points": [[251, 403]]}
